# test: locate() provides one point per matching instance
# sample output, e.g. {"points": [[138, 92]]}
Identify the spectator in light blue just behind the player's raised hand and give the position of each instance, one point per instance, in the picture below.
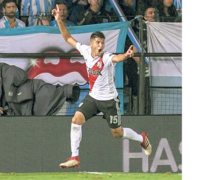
{"points": [[64, 15]]}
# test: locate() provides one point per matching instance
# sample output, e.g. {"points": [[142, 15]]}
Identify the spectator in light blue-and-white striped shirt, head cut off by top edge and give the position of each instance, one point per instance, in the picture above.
{"points": [[35, 8]]}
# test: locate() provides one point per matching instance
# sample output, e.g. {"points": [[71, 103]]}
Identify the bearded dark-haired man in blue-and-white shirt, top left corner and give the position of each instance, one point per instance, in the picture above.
{"points": [[9, 20]]}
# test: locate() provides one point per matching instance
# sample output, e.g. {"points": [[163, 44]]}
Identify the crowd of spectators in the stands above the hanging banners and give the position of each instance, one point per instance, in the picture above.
{"points": [[83, 12]]}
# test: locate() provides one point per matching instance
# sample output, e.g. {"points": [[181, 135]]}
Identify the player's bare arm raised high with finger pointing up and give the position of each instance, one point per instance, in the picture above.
{"points": [[65, 33]]}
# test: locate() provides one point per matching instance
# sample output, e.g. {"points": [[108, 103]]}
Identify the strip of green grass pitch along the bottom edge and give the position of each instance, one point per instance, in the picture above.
{"points": [[89, 176]]}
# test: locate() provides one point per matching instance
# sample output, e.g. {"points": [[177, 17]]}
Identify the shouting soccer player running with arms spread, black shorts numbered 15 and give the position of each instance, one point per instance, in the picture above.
{"points": [[103, 96]]}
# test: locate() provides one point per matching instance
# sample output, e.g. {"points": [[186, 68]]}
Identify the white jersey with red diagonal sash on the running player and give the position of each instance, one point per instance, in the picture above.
{"points": [[101, 73]]}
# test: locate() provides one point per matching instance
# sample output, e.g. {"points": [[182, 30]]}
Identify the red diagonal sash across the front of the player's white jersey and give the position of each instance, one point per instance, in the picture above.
{"points": [[94, 72]]}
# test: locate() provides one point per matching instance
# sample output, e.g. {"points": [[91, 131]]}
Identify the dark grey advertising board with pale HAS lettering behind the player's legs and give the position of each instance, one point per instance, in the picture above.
{"points": [[40, 144]]}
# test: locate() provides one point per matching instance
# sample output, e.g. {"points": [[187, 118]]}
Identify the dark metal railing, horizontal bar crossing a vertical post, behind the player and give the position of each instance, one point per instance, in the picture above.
{"points": [[142, 86]]}
